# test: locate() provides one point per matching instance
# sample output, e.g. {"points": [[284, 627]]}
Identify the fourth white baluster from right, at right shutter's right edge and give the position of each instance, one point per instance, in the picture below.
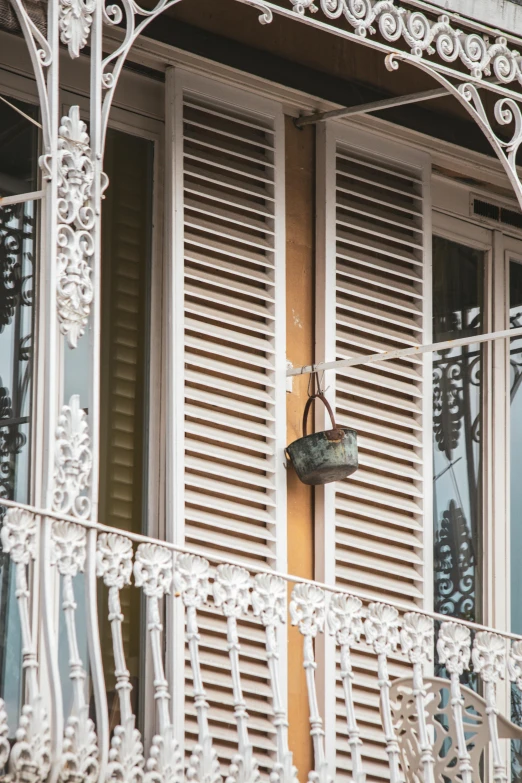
{"points": [[417, 643]]}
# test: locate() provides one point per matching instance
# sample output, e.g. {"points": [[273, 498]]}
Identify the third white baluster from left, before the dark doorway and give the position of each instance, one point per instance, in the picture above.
{"points": [[114, 564]]}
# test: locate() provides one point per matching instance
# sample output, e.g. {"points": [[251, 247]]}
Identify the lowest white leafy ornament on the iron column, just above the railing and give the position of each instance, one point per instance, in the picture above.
{"points": [[73, 461]]}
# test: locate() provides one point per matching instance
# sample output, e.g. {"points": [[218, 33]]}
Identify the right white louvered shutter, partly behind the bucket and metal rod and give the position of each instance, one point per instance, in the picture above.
{"points": [[376, 261]]}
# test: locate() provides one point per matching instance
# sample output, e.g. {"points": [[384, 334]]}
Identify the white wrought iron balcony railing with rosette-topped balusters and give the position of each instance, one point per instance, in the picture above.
{"points": [[432, 727]]}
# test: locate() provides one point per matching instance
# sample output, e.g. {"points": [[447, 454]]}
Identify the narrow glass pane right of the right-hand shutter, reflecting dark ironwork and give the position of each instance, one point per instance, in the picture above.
{"points": [[458, 306]]}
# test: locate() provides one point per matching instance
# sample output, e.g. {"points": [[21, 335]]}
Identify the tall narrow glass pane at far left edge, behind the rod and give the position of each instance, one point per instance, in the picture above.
{"points": [[18, 174]]}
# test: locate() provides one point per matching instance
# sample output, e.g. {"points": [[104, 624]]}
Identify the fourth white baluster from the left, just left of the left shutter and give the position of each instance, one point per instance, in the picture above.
{"points": [[153, 572]]}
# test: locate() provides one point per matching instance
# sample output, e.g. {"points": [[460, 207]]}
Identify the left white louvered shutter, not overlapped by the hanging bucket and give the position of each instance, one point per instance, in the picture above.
{"points": [[230, 266]]}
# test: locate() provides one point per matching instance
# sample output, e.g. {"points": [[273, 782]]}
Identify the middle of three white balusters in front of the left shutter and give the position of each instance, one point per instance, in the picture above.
{"points": [[231, 591]]}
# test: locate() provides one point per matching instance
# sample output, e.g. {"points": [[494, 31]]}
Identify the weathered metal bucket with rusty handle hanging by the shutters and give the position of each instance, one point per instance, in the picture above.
{"points": [[325, 456]]}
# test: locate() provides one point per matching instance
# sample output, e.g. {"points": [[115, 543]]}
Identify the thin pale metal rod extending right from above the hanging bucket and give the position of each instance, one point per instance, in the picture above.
{"points": [[399, 353]]}
